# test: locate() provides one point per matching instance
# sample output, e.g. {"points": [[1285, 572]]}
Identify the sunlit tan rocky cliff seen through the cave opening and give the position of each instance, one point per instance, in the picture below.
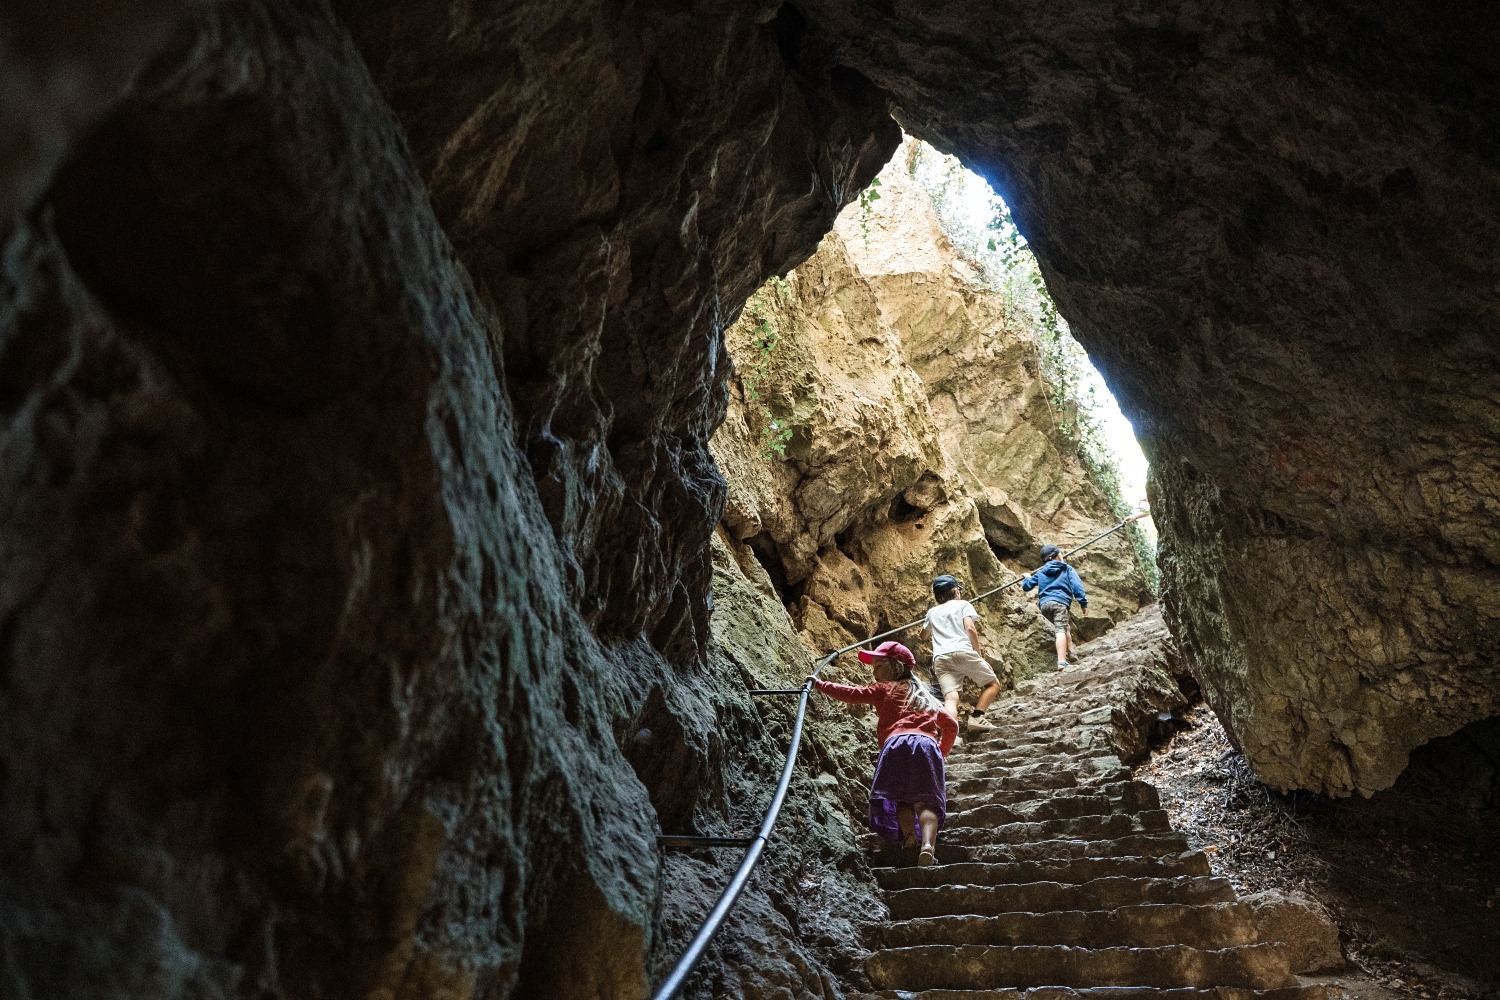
{"points": [[890, 422]]}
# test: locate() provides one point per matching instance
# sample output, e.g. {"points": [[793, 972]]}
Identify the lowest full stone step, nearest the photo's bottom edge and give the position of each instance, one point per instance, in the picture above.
{"points": [[982, 966]]}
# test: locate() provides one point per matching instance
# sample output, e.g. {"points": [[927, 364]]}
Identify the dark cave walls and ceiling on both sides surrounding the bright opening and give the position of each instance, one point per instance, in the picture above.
{"points": [[359, 365]]}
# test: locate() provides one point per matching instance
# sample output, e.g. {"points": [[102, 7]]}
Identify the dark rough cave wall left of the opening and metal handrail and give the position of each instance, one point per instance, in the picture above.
{"points": [[355, 490]]}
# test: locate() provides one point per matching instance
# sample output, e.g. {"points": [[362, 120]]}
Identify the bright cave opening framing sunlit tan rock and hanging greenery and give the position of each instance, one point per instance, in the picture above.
{"points": [[913, 371]]}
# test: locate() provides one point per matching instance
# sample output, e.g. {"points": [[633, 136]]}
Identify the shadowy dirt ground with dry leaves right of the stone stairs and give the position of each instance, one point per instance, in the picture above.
{"points": [[1412, 876]]}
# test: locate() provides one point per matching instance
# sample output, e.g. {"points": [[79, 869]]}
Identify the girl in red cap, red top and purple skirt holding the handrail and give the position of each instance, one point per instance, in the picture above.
{"points": [[908, 797]]}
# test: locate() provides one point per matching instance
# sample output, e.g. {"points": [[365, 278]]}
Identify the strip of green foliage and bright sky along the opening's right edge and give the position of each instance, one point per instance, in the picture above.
{"points": [[1006, 265]]}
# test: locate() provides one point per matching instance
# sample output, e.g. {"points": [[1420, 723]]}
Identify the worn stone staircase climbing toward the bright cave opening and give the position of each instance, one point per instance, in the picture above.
{"points": [[1060, 875]]}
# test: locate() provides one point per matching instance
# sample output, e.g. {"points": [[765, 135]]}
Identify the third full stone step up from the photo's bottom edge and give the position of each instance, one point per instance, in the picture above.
{"points": [[1037, 897]]}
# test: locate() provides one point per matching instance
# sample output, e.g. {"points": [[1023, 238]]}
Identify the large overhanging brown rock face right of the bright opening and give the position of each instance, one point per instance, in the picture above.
{"points": [[1274, 232]]}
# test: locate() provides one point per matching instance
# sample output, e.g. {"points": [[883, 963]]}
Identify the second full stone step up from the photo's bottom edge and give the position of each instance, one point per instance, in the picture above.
{"points": [[1153, 926]]}
